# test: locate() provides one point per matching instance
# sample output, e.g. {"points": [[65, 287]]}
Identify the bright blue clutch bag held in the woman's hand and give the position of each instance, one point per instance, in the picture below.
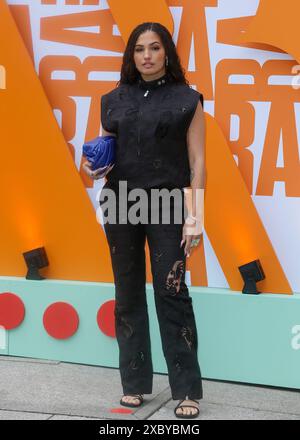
{"points": [[100, 151]]}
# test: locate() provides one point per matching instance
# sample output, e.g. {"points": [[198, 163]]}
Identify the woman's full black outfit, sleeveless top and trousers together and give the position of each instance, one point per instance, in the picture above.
{"points": [[151, 119]]}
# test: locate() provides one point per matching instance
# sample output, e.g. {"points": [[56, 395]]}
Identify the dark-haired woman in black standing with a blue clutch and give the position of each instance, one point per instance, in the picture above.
{"points": [[158, 120]]}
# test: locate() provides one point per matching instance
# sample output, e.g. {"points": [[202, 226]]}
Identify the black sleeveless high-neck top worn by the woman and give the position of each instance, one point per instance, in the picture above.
{"points": [[150, 120]]}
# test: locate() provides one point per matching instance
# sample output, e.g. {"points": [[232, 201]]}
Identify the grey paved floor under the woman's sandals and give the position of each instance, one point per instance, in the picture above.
{"points": [[35, 389]]}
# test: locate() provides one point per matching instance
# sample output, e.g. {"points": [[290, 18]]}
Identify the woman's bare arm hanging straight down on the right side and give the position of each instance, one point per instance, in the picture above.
{"points": [[194, 195]]}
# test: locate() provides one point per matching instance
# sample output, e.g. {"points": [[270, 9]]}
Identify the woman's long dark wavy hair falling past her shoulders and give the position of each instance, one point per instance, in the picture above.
{"points": [[174, 70]]}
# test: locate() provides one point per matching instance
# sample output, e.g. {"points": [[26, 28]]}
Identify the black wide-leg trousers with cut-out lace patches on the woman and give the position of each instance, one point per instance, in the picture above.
{"points": [[173, 305]]}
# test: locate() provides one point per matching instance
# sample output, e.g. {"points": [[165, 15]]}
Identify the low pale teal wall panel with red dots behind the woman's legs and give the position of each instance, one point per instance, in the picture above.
{"points": [[243, 338]]}
